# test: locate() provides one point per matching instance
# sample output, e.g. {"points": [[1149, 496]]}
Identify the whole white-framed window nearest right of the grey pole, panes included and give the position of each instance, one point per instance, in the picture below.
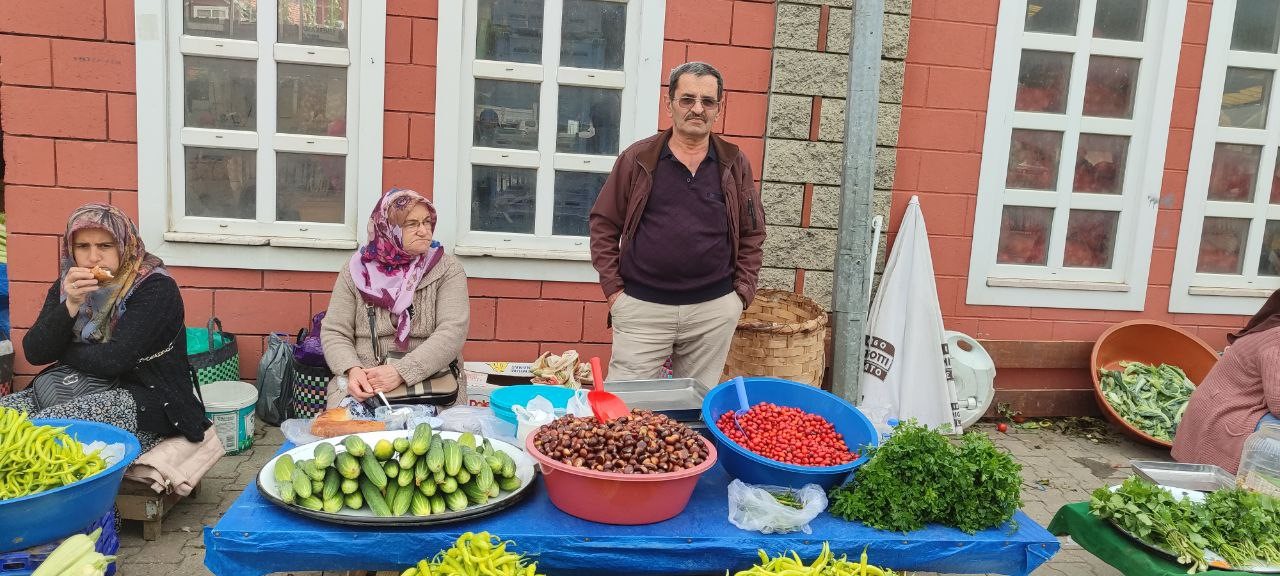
{"points": [[1075, 152]]}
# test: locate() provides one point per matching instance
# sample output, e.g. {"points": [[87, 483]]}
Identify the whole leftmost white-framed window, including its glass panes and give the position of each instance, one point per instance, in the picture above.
{"points": [[259, 130]]}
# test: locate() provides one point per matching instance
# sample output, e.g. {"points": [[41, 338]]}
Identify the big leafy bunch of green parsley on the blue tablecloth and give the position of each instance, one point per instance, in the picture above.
{"points": [[921, 477]]}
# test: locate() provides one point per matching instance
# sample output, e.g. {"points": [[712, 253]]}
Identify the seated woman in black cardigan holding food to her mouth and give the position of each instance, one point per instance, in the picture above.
{"points": [[115, 313]]}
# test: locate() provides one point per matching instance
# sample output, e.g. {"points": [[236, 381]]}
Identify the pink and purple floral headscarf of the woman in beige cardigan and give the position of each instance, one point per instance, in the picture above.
{"points": [[383, 272]]}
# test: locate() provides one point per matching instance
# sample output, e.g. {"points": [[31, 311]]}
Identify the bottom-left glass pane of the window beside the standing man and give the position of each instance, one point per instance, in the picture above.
{"points": [[502, 199]]}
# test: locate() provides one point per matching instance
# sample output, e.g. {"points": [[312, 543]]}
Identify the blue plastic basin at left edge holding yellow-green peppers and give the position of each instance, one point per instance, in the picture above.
{"points": [[52, 515]]}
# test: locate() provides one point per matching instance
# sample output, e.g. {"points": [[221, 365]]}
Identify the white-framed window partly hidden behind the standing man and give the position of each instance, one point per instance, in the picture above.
{"points": [[547, 94]]}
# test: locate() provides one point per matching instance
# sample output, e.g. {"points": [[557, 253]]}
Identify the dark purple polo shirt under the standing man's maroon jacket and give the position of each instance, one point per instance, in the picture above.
{"points": [[680, 253]]}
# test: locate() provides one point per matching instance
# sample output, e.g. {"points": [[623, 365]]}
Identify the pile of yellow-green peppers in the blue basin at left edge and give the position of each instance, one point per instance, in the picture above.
{"points": [[36, 459]]}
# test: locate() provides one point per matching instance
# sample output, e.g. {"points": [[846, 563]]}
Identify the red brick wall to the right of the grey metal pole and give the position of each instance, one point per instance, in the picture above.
{"points": [[939, 159]]}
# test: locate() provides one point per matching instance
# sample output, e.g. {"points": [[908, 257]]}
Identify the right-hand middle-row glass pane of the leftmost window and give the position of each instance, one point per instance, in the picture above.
{"points": [[312, 100]]}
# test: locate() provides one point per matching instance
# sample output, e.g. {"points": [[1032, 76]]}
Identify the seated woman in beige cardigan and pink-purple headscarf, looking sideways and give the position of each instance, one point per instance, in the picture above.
{"points": [[418, 296]]}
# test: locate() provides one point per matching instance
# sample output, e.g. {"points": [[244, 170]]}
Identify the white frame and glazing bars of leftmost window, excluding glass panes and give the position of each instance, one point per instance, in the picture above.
{"points": [[158, 61]]}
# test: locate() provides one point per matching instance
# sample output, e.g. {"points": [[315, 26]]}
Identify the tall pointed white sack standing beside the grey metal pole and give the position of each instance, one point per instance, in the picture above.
{"points": [[906, 365]]}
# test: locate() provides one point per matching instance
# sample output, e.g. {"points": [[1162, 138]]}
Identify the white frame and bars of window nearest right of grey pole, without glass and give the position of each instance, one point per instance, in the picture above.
{"points": [[1123, 287]]}
